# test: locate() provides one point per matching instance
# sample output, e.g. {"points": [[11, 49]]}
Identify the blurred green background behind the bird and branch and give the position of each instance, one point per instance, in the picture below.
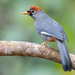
{"points": [[17, 27]]}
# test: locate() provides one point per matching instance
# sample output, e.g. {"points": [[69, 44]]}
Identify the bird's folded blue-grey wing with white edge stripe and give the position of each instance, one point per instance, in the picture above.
{"points": [[53, 28]]}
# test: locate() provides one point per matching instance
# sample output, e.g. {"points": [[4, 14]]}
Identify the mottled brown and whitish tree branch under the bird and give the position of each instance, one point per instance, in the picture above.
{"points": [[13, 48]]}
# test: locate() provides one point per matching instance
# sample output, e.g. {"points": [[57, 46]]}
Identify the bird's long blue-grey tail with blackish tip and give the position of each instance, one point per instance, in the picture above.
{"points": [[65, 58]]}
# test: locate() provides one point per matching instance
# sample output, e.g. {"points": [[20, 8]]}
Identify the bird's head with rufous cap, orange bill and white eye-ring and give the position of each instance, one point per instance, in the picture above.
{"points": [[34, 12]]}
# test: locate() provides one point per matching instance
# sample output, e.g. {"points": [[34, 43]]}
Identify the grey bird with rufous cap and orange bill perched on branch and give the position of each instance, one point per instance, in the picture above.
{"points": [[51, 31]]}
